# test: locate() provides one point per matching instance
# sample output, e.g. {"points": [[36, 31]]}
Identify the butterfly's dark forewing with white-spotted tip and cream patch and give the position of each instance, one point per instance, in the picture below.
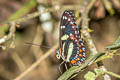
{"points": [[65, 30]]}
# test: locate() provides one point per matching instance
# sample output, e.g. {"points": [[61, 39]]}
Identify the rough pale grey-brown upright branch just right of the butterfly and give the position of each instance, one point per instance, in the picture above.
{"points": [[88, 37]]}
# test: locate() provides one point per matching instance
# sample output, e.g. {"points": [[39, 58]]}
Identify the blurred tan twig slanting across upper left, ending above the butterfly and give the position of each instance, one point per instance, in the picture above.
{"points": [[36, 14]]}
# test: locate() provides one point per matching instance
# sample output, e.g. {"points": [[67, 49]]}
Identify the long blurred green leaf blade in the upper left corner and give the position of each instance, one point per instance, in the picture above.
{"points": [[27, 7]]}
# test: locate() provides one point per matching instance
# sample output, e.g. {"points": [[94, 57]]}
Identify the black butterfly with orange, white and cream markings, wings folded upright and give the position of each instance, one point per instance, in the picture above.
{"points": [[71, 47]]}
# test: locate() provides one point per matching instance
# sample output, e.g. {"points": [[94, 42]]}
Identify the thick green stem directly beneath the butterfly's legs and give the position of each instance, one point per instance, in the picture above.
{"points": [[73, 71]]}
